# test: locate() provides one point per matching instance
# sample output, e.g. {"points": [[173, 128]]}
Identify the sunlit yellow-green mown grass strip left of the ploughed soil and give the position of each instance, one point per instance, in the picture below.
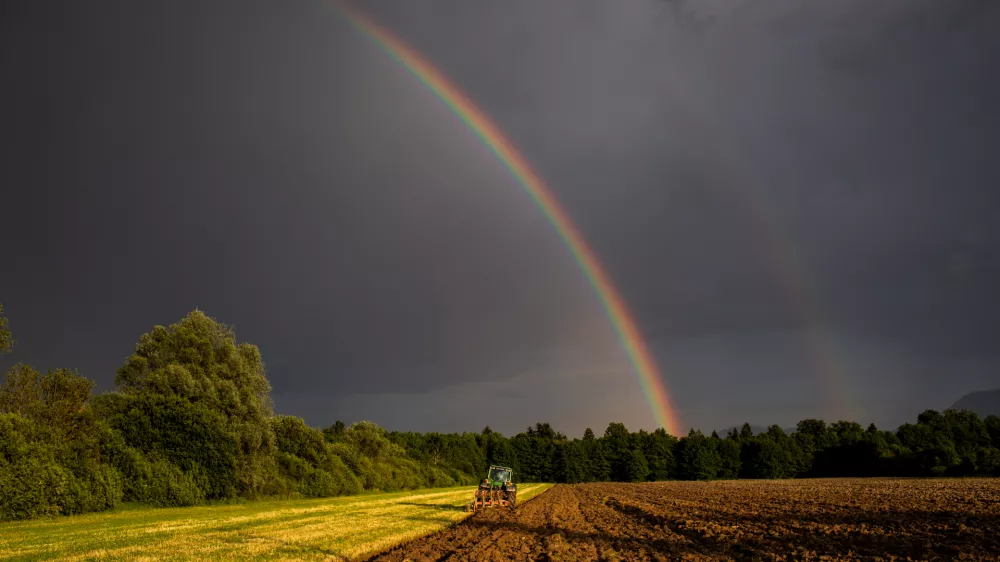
{"points": [[326, 529]]}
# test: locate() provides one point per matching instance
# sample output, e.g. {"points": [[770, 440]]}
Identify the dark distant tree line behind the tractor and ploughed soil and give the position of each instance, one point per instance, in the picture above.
{"points": [[949, 443]]}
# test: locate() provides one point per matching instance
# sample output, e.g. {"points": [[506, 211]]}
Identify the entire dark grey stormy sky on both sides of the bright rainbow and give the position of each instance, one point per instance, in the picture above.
{"points": [[798, 202]]}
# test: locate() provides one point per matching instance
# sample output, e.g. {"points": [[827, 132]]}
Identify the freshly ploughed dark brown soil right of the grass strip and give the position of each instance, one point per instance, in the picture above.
{"points": [[844, 519]]}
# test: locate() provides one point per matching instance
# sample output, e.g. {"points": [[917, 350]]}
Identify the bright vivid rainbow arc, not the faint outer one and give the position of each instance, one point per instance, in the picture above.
{"points": [[492, 137]]}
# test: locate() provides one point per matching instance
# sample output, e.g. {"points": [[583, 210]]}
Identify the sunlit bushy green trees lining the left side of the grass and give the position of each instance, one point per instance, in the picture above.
{"points": [[190, 421]]}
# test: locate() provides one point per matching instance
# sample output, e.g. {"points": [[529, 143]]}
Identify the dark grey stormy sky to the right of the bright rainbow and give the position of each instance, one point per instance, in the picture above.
{"points": [[687, 138]]}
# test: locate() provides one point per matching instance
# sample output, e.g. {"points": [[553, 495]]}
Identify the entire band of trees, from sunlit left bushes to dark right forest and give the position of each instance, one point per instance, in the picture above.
{"points": [[190, 421]]}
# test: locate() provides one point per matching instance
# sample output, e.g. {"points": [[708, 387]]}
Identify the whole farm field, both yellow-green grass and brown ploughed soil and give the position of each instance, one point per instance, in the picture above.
{"points": [[844, 519]]}
